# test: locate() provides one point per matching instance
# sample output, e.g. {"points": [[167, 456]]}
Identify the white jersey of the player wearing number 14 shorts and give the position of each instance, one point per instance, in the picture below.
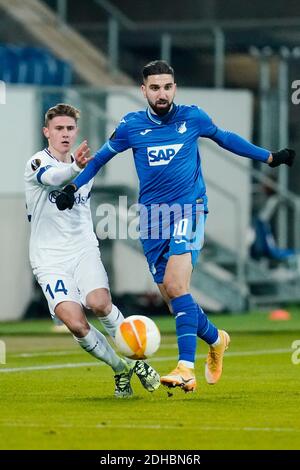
{"points": [[56, 236]]}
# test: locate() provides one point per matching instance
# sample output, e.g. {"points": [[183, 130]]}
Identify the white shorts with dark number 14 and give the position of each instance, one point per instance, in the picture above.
{"points": [[72, 281]]}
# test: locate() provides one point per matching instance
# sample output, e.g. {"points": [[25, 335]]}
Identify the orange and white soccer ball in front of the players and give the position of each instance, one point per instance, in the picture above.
{"points": [[137, 337]]}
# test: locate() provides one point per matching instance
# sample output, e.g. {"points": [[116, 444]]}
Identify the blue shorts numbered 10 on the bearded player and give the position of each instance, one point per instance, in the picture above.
{"points": [[182, 232]]}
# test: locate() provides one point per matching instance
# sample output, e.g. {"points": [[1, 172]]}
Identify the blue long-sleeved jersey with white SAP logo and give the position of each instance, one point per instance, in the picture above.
{"points": [[166, 154]]}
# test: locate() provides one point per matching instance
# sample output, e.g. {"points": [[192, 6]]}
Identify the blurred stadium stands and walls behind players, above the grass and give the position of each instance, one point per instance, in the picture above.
{"points": [[238, 64]]}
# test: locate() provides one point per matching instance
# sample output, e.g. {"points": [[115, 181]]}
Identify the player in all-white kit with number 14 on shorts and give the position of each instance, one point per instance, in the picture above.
{"points": [[64, 252]]}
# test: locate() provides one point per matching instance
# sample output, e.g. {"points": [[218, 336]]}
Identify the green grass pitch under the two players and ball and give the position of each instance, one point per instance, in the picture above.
{"points": [[254, 406]]}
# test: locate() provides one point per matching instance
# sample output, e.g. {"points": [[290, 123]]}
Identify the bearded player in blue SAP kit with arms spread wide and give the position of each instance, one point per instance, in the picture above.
{"points": [[164, 142]]}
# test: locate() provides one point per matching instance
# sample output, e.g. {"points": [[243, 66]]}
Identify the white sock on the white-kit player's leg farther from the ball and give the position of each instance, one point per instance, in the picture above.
{"points": [[97, 345]]}
